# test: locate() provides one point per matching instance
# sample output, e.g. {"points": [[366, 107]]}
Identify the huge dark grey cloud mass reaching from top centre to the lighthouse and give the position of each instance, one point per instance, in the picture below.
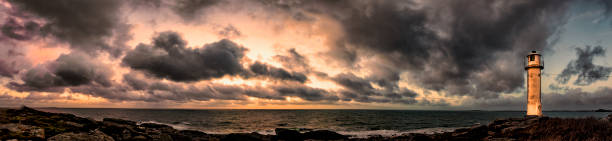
{"points": [[446, 47]]}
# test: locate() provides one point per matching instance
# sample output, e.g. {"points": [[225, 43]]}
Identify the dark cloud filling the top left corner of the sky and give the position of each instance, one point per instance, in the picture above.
{"points": [[86, 25]]}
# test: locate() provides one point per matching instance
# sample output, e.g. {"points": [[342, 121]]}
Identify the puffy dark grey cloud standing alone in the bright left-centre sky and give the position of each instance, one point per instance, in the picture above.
{"points": [[168, 57]]}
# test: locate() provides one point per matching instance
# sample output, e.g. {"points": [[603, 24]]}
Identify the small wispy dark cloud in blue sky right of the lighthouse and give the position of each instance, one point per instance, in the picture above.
{"points": [[584, 68]]}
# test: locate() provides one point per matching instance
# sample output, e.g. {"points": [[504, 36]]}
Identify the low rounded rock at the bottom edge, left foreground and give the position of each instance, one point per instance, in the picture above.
{"points": [[95, 135]]}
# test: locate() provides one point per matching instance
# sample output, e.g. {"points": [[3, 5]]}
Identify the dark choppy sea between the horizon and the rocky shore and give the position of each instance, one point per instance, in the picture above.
{"points": [[355, 123]]}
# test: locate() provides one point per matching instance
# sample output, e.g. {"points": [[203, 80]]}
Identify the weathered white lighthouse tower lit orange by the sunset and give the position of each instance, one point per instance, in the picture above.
{"points": [[534, 67]]}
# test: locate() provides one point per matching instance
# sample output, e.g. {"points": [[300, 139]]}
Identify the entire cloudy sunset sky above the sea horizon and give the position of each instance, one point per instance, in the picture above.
{"points": [[303, 54]]}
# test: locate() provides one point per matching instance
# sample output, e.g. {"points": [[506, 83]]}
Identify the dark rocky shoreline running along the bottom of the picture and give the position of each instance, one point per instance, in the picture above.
{"points": [[30, 124]]}
